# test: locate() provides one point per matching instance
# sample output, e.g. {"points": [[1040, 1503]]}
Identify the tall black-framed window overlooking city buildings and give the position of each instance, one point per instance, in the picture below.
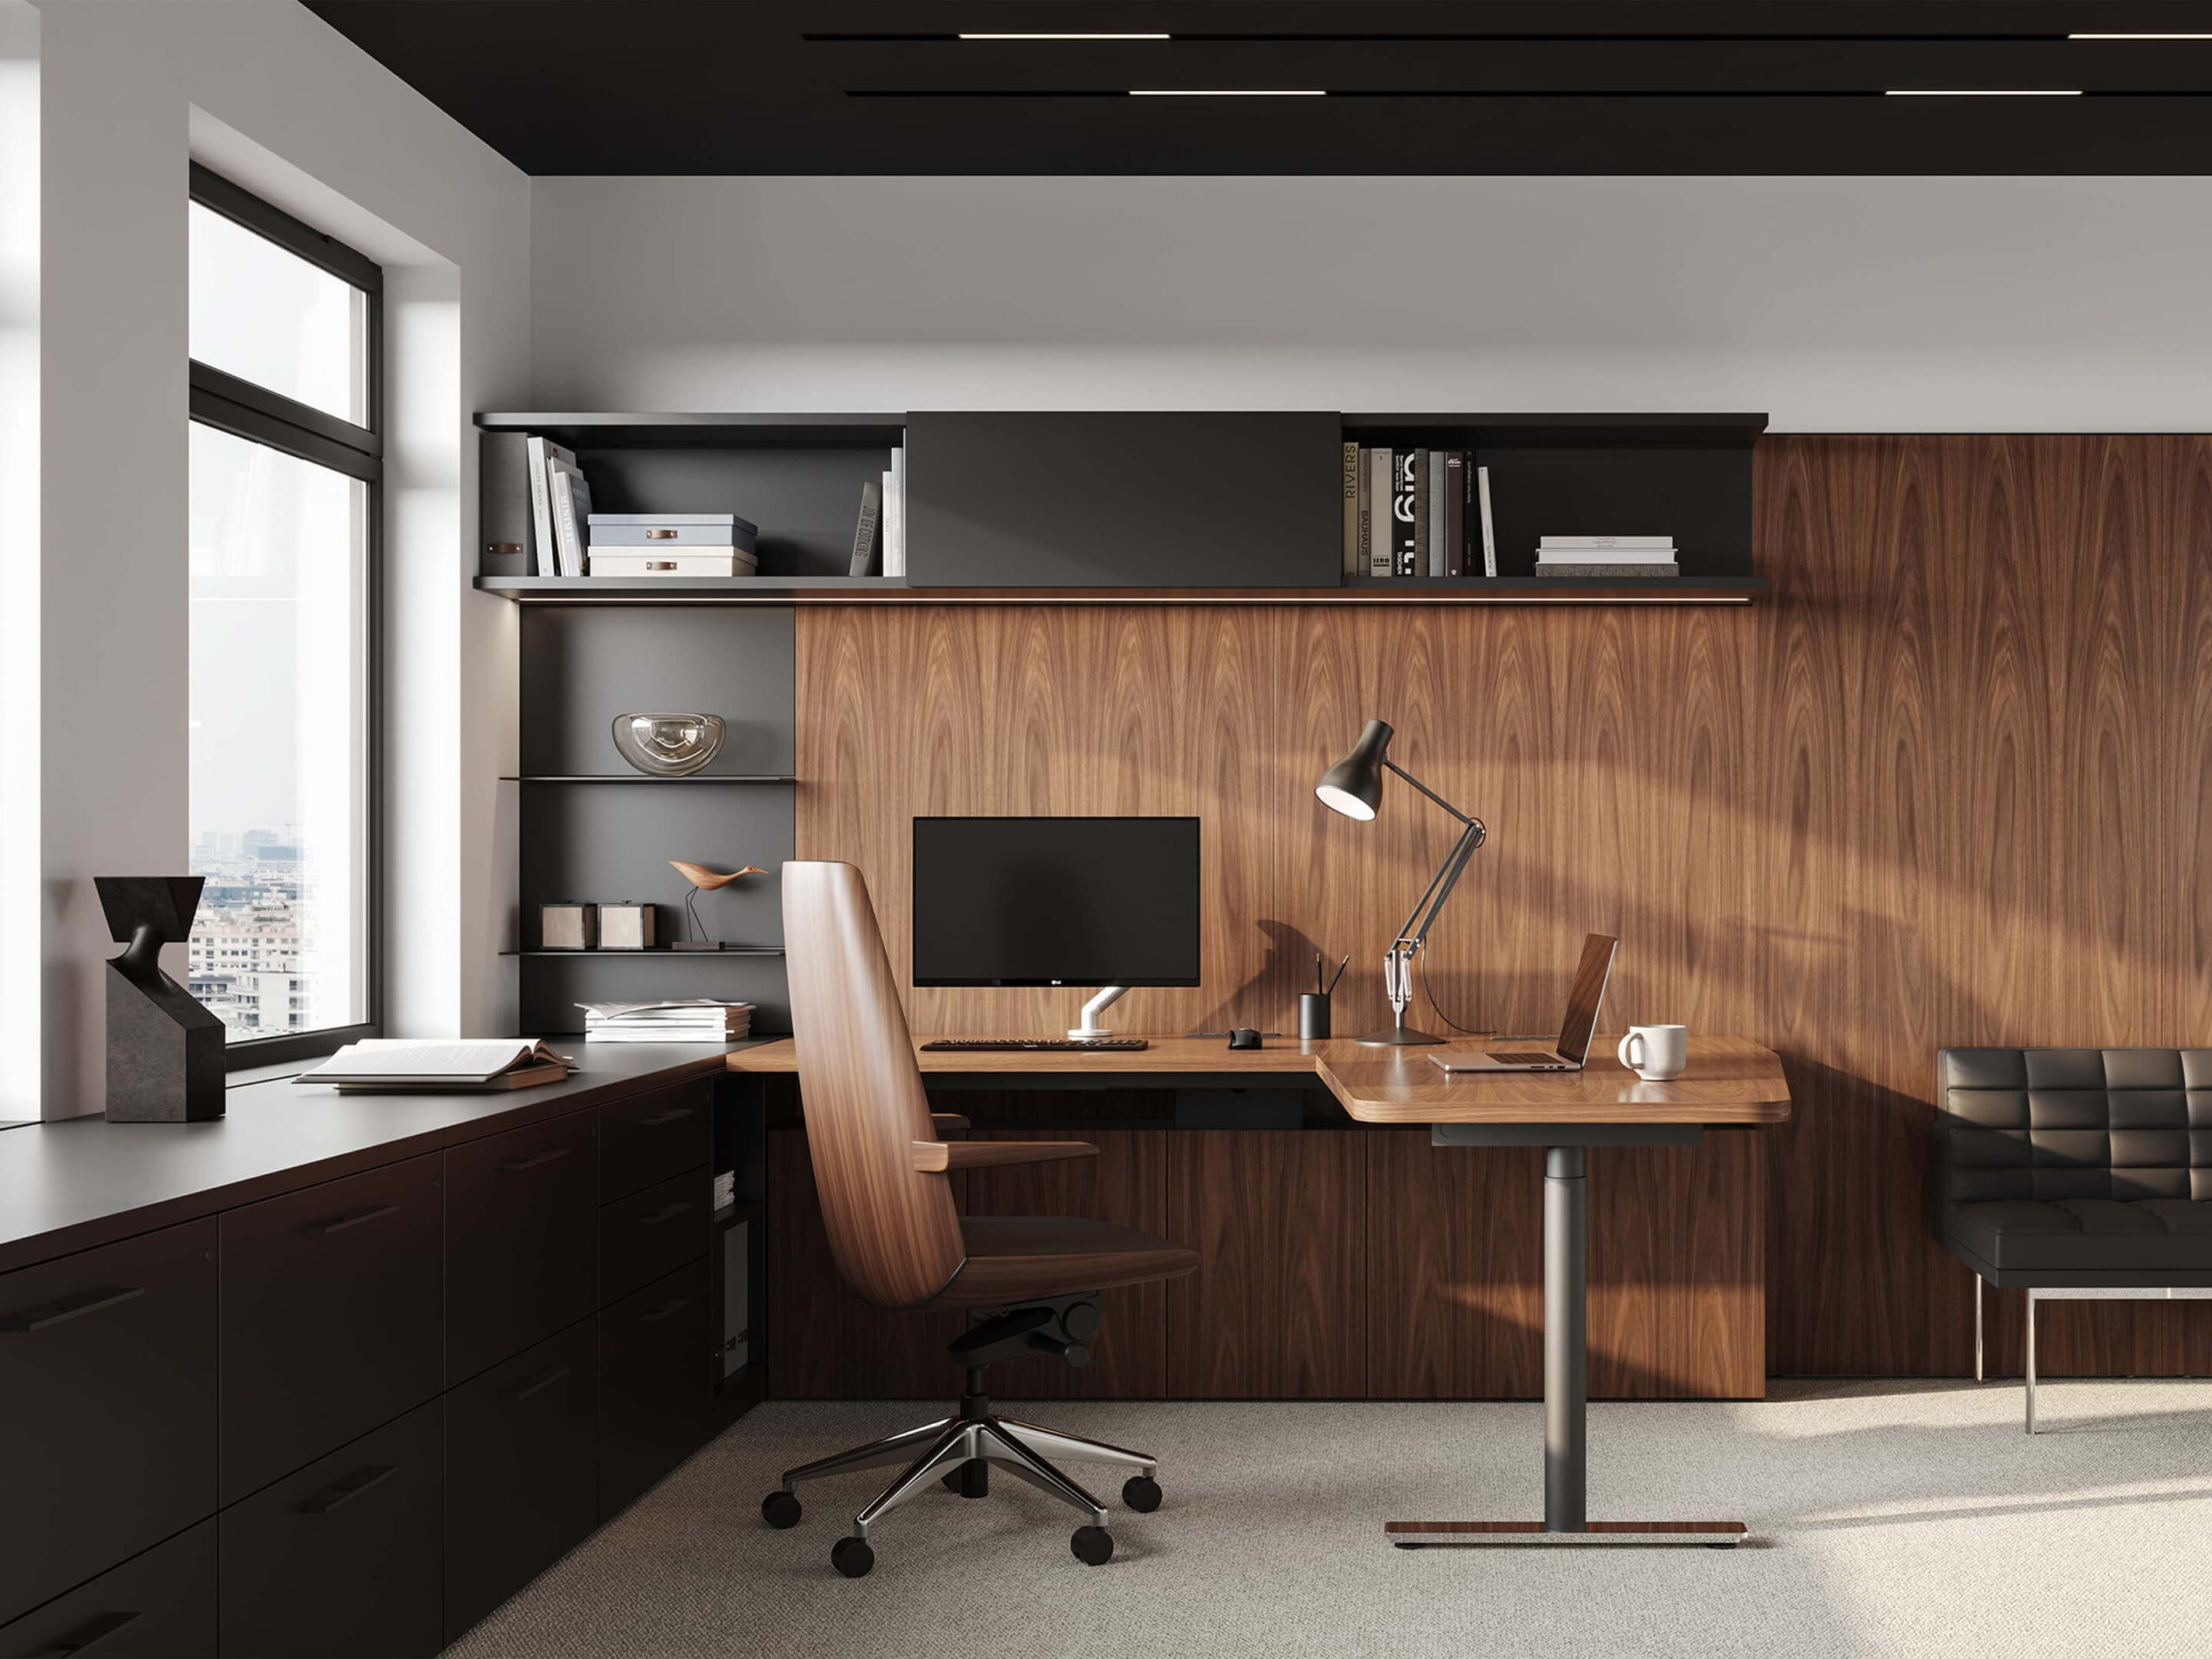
{"points": [[284, 510]]}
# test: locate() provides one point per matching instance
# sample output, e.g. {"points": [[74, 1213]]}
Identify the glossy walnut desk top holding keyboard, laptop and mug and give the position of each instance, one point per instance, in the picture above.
{"points": [[1731, 1081]]}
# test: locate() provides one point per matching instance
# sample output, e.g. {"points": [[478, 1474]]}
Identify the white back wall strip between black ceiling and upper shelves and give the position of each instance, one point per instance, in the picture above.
{"points": [[1833, 304]]}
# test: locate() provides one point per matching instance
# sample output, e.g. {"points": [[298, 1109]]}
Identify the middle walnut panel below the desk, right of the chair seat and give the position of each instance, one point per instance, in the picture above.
{"points": [[1277, 1311]]}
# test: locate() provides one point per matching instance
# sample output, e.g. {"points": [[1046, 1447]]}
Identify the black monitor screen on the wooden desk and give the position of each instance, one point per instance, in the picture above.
{"points": [[1056, 901]]}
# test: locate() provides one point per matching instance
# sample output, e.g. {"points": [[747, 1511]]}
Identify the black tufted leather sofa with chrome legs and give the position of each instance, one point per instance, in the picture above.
{"points": [[2076, 1173]]}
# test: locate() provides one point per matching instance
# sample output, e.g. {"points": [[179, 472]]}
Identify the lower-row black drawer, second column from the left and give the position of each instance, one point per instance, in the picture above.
{"points": [[340, 1558]]}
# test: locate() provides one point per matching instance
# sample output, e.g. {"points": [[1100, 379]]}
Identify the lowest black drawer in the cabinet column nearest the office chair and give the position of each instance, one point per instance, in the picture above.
{"points": [[654, 1384]]}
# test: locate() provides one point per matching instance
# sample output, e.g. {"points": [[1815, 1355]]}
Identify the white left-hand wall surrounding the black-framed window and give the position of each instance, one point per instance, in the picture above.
{"points": [[271, 96]]}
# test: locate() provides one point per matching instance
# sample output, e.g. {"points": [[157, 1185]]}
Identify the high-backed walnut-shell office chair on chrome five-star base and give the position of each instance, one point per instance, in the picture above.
{"points": [[1030, 1284]]}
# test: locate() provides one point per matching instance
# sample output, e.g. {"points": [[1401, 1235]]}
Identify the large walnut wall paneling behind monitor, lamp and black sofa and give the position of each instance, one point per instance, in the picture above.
{"points": [[1941, 789]]}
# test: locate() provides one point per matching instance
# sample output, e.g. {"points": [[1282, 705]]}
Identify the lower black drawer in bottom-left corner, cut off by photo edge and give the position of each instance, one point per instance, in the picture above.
{"points": [[154, 1607]]}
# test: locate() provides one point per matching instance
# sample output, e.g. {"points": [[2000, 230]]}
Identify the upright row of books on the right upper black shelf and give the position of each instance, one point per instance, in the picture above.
{"points": [[1417, 514]]}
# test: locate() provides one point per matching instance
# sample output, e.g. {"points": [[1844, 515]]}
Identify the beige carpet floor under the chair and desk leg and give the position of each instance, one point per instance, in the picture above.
{"points": [[1888, 1519]]}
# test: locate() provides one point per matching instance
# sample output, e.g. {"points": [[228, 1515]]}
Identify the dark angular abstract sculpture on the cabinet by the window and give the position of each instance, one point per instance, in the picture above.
{"points": [[165, 1050]]}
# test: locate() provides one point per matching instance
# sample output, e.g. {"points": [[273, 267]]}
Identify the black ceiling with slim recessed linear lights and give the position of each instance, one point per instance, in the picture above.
{"points": [[1777, 87]]}
